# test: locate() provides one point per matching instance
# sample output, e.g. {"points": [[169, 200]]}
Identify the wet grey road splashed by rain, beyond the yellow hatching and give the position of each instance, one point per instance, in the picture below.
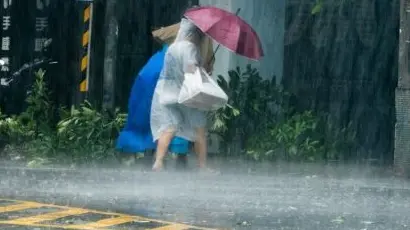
{"points": [[294, 198]]}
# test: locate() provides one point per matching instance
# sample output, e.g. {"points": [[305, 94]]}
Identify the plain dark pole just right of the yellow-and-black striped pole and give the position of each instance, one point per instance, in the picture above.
{"points": [[110, 55]]}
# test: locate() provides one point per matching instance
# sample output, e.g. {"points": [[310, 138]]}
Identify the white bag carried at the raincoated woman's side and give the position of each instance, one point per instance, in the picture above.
{"points": [[202, 92]]}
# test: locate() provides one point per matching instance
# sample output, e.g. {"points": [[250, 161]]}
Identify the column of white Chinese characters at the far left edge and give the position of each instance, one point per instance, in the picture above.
{"points": [[6, 35]]}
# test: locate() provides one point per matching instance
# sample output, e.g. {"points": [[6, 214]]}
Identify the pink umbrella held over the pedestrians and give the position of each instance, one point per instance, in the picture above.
{"points": [[227, 29]]}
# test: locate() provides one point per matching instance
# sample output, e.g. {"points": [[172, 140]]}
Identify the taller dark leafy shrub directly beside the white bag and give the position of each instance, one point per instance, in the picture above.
{"points": [[253, 104]]}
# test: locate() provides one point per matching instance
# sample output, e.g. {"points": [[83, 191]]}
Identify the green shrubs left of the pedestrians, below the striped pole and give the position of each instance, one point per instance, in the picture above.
{"points": [[81, 135]]}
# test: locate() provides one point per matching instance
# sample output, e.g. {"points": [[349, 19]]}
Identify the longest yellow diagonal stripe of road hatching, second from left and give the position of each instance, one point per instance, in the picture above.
{"points": [[48, 216]]}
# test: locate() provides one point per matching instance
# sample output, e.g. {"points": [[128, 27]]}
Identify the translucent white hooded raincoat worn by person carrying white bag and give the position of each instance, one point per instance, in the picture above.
{"points": [[166, 114]]}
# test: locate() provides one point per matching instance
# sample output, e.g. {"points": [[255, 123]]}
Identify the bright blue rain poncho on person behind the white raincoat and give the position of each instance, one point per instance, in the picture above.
{"points": [[136, 136]]}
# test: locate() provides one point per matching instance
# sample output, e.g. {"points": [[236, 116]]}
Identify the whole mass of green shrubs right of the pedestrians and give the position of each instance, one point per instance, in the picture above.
{"points": [[260, 119]]}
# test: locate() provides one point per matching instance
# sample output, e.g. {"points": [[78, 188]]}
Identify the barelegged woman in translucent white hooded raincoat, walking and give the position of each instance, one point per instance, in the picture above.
{"points": [[168, 118]]}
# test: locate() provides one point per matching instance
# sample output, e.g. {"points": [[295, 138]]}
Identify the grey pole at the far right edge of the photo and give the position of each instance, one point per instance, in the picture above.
{"points": [[402, 128]]}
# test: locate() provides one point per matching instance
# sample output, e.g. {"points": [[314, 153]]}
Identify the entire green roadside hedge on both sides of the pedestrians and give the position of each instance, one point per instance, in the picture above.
{"points": [[259, 119]]}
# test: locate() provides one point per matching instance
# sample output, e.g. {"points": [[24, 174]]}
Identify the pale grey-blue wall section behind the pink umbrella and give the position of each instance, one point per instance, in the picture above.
{"points": [[267, 17]]}
